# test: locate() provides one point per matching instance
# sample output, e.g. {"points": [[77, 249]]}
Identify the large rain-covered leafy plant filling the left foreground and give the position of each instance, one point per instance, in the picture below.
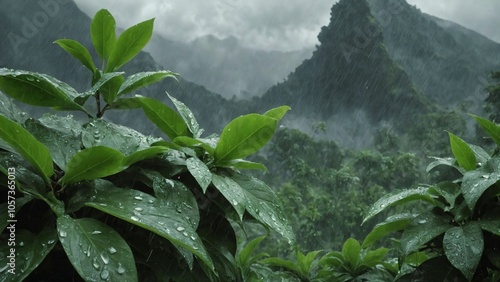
{"points": [[114, 203]]}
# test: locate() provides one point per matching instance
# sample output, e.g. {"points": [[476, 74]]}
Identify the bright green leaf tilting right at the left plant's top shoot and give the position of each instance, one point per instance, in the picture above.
{"points": [[129, 44]]}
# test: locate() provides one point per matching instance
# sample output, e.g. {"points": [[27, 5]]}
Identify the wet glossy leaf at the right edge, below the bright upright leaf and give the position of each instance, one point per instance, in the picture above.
{"points": [[475, 183]]}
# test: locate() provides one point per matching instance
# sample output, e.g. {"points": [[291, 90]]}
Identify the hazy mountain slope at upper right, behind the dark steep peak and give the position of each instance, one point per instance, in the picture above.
{"points": [[449, 63]]}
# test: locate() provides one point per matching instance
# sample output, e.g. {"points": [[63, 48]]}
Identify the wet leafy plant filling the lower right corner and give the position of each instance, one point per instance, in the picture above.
{"points": [[459, 233]]}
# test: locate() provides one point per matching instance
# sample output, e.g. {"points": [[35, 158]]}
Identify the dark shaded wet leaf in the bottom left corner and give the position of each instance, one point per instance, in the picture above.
{"points": [[30, 250]]}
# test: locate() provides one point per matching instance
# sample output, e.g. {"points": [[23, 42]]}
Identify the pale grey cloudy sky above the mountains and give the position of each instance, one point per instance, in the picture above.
{"points": [[272, 24]]}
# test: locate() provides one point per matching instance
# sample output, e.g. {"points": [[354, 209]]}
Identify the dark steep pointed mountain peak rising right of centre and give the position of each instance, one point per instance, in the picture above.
{"points": [[350, 71]]}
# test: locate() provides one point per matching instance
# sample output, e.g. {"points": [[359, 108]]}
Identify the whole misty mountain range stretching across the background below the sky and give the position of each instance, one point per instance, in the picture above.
{"points": [[367, 71]]}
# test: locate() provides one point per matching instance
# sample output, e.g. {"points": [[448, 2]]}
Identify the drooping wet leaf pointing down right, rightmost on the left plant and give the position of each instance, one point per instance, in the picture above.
{"points": [[264, 205]]}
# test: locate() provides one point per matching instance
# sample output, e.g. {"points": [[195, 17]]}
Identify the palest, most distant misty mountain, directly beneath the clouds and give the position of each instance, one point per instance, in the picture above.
{"points": [[224, 66]]}
